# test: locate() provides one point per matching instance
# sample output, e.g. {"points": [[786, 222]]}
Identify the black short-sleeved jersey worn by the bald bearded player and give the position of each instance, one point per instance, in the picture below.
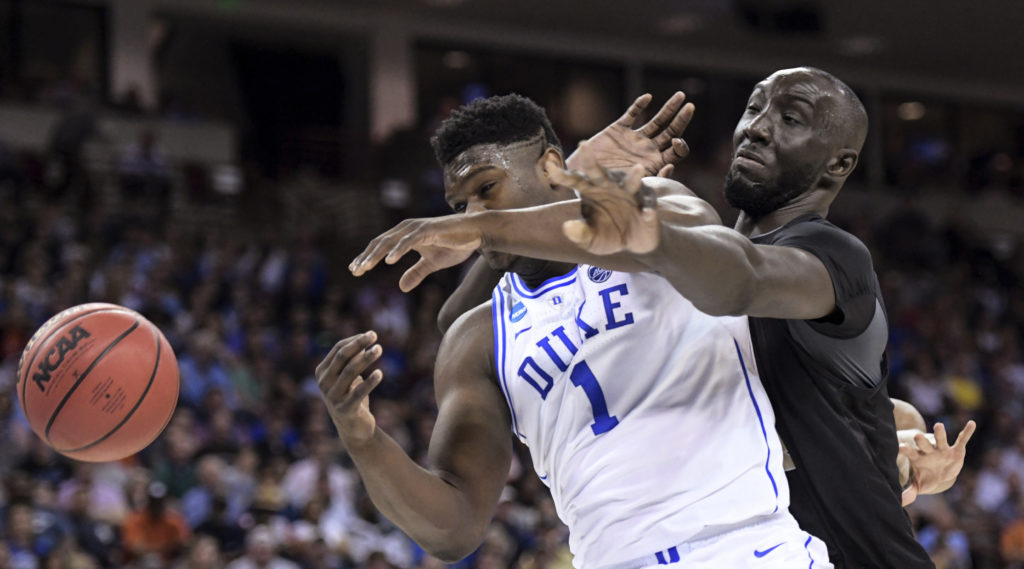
{"points": [[827, 382]]}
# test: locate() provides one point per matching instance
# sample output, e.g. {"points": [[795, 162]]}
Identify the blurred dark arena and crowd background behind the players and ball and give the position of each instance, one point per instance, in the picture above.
{"points": [[216, 164]]}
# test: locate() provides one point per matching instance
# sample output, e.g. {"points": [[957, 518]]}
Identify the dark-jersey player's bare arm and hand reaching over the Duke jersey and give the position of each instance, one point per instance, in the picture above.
{"points": [[720, 271]]}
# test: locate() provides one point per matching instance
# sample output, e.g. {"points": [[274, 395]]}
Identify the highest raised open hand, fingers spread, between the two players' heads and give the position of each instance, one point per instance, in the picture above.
{"points": [[657, 147]]}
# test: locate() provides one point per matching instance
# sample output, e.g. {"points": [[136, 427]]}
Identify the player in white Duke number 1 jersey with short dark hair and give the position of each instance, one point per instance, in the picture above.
{"points": [[645, 416]]}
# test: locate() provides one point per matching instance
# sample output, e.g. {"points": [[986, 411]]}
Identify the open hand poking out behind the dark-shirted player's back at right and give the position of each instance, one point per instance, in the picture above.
{"points": [[935, 465]]}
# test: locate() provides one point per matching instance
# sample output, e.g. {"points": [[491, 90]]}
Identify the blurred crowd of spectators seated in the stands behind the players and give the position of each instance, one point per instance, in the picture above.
{"points": [[249, 473]]}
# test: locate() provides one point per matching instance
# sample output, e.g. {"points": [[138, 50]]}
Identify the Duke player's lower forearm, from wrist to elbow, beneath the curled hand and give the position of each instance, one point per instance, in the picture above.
{"points": [[421, 503]]}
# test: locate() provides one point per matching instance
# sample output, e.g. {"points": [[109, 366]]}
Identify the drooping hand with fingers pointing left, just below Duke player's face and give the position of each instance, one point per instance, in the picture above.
{"points": [[442, 243]]}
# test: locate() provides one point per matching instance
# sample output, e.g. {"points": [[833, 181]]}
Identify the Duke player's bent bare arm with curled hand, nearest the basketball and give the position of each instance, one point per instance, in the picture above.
{"points": [[447, 507]]}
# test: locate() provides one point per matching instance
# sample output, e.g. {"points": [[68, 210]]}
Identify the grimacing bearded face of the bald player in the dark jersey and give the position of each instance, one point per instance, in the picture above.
{"points": [[784, 144]]}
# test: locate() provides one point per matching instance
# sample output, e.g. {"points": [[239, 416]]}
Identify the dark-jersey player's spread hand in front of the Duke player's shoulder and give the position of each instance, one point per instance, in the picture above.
{"points": [[618, 211]]}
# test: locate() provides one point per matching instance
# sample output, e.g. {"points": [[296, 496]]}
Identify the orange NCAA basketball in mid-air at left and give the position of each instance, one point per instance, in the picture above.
{"points": [[98, 382]]}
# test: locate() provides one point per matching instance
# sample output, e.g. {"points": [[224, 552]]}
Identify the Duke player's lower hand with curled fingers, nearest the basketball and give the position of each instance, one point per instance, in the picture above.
{"points": [[346, 390]]}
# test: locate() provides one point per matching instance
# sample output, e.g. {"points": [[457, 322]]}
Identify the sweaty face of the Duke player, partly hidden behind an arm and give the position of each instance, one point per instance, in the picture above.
{"points": [[503, 178]]}
